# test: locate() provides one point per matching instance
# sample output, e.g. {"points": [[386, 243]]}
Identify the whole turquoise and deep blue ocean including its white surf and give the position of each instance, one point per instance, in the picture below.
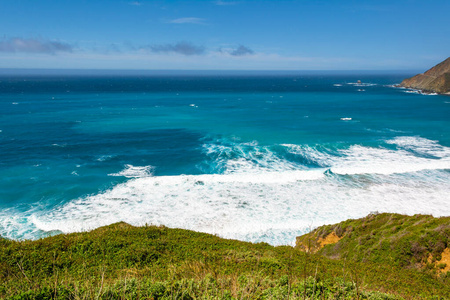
{"points": [[256, 157]]}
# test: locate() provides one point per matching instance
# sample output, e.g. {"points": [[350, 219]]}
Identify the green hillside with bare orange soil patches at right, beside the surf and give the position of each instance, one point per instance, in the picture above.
{"points": [[390, 239]]}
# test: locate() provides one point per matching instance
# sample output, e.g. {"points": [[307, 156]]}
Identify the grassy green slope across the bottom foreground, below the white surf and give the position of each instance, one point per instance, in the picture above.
{"points": [[125, 262]]}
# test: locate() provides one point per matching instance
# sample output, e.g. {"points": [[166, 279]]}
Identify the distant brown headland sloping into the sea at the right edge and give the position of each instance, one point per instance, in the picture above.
{"points": [[436, 79]]}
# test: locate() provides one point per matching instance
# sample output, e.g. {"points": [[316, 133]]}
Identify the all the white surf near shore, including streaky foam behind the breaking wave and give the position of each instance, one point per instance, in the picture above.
{"points": [[261, 196]]}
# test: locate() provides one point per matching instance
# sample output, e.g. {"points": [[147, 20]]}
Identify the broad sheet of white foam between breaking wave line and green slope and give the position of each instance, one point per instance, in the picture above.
{"points": [[253, 210]]}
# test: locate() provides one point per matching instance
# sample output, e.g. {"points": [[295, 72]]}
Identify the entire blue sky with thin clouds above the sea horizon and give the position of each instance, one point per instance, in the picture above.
{"points": [[224, 34]]}
